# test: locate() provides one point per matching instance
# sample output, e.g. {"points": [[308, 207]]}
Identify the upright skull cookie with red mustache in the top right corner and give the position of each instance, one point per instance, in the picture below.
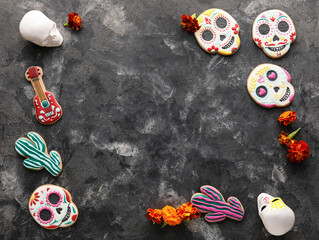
{"points": [[274, 32]]}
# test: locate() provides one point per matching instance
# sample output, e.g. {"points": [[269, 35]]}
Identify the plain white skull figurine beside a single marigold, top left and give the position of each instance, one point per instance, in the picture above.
{"points": [[39, 29]]}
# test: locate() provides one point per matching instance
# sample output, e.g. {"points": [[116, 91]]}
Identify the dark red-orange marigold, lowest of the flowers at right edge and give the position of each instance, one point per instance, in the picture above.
{"points": [[298, 151]]}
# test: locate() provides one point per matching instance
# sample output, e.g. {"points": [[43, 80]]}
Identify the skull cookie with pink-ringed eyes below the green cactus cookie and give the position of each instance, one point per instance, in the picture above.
{"points": [[52, 207]]}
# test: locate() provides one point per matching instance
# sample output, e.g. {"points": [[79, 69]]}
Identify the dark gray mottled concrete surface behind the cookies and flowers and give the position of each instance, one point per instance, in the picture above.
{"points": [[149, 117]]}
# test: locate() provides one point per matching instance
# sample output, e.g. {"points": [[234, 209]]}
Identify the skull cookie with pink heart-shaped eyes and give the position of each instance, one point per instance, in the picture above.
{"points": [[269, 86]]}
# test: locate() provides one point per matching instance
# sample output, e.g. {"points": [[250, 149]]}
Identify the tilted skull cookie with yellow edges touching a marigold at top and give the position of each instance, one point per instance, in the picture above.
{"points": [[218, 32]]}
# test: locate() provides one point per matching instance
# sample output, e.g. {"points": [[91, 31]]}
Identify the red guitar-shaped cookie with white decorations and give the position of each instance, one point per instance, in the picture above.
{"points": [[48, 110]]}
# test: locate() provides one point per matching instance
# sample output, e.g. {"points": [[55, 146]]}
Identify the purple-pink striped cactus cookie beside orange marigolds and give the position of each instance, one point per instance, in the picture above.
{"points": [[212, 202]]}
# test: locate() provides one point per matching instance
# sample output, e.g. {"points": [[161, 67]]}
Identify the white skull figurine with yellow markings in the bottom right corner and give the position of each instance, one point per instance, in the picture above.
{"points": [[277, 217]]}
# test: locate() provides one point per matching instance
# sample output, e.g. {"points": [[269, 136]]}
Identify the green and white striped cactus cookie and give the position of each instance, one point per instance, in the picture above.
{"points": [[34, 149]]}
